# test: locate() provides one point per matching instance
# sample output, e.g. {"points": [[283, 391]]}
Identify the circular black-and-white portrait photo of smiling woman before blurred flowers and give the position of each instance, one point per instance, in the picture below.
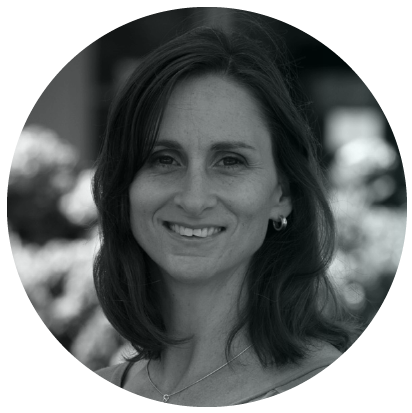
{"points": [[217, 207]]}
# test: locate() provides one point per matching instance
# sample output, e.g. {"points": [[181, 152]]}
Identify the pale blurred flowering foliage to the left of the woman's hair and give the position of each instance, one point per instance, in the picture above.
{"points": [[53, 237]]}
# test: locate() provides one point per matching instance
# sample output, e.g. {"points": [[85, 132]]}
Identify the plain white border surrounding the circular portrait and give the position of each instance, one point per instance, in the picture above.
{"points": [[39, 38]]}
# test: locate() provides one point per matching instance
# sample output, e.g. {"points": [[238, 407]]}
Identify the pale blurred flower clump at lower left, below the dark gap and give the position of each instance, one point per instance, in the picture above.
{"points": [[57, 277]]}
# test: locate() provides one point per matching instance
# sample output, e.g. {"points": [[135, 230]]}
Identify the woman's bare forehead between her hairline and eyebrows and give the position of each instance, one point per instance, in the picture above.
{"points": [[211, 108]]}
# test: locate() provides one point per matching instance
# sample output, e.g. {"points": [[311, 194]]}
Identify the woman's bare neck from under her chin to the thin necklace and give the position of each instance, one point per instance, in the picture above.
{"points": [[205, 315]]}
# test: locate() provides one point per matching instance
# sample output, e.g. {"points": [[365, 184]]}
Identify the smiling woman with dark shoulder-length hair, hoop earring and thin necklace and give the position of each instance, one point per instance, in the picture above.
{"points": [[216, 231]]}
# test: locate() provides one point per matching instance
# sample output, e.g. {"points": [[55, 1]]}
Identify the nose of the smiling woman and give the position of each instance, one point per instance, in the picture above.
{"points": [[195, 193]]}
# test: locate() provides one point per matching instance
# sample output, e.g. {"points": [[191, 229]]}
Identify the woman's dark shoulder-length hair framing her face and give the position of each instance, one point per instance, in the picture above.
{"points": [[290, 300]]}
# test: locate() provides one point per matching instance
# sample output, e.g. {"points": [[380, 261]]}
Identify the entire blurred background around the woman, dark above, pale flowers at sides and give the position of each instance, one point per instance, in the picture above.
{"points": [[51, 215]]}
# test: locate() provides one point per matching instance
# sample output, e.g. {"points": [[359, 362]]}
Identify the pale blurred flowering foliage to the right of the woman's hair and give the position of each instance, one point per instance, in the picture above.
{"points": [[371, 226]]}
